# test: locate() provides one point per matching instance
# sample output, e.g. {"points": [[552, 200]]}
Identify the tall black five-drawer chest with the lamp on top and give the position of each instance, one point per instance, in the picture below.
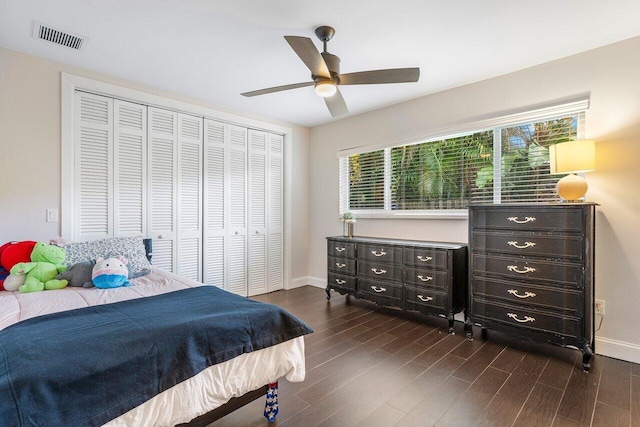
{"points": [[531, 272]]}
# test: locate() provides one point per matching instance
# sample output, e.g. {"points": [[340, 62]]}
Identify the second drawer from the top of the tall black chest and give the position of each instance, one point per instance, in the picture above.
{"points": [[548, 245]]}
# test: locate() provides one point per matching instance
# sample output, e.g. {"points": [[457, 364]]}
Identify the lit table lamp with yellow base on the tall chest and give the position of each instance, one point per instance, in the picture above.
{"points": [[572, 156]]}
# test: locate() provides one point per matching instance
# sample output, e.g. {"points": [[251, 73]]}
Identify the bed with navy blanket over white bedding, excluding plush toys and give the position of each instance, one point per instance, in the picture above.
{"points": [[63, 384]]}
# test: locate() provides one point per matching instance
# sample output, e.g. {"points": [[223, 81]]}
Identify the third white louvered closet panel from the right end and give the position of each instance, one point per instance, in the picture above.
{"points": [[236, 210]]}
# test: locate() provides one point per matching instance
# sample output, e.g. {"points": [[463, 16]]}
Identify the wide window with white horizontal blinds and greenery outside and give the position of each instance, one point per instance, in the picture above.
{"points": [[508, 163]]}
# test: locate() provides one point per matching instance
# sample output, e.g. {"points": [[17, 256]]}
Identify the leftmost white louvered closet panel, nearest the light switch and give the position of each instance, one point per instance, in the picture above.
{"points": [[93, 174]]}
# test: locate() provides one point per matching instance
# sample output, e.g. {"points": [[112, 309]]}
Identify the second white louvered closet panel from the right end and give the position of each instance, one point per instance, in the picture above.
{"points": [[257, 212]]}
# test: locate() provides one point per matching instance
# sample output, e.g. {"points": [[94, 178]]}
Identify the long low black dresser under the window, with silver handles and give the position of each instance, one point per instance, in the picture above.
{"points": [[428, 277]]}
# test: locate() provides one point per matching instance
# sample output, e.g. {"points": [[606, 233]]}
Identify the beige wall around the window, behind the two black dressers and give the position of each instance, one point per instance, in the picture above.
{"points": [[610, 75]]}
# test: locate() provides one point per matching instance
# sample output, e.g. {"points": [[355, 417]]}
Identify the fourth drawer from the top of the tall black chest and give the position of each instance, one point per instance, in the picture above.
{"points": [[550, 298]]}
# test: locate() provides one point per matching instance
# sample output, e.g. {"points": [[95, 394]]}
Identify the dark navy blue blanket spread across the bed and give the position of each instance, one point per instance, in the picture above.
{"points": [[87, 366]]}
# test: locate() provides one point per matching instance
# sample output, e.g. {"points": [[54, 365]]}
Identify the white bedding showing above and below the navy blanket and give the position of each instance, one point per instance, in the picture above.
{"points": [[200, 394]]}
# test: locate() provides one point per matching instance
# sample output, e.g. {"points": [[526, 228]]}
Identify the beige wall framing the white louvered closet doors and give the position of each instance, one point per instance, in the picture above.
{"points": [[30, 109]]}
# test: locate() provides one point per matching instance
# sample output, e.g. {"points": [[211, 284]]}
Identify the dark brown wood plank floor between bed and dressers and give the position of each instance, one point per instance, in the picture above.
{"points": [[372, 366]]}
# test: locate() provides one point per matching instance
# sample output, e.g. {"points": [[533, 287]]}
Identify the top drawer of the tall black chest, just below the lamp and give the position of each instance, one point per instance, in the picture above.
{"points": [[529, 218]]}
